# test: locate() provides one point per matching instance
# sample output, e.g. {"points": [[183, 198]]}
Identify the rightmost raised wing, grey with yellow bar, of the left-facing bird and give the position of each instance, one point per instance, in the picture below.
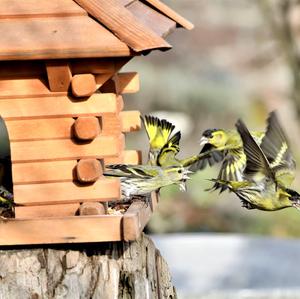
{"points": [[276, 148]]}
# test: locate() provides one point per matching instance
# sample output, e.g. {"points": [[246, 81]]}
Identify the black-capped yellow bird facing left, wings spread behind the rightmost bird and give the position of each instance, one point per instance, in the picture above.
{"points": [[227, 146]]}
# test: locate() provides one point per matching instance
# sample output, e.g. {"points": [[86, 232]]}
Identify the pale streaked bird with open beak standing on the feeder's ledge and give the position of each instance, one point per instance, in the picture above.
{"points": [[143, 179]]}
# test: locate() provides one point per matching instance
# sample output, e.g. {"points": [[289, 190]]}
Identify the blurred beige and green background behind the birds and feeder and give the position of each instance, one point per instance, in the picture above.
{"points": [[241, 60]]}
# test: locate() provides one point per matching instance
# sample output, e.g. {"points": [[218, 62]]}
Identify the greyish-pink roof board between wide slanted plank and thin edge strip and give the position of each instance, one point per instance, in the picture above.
{"points": [[158, 22]]}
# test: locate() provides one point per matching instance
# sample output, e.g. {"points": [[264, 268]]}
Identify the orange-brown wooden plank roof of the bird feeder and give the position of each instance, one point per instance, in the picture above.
{"points": [[43, 29]]}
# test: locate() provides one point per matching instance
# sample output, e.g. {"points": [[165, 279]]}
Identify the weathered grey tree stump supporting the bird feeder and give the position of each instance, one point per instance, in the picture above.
{"points": [[116, 270]]}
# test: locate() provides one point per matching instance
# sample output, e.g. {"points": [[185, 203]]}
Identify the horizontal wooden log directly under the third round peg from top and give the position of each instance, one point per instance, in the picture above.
{"points": [[66, 192]]}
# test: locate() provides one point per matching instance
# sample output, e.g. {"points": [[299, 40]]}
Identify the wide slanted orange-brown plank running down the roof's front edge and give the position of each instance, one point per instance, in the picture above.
{"points": [[123, 24]]}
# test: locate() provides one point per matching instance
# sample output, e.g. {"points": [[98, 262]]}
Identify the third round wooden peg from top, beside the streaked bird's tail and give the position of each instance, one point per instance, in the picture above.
{"points": [[88, 170]]}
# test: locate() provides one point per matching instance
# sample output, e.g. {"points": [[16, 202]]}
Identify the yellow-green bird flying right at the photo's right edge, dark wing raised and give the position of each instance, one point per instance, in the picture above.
{"points": [[260, 188]]}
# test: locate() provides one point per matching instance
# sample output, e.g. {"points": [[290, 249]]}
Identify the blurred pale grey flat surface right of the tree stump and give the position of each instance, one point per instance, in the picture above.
{"points": [[214, 266]]}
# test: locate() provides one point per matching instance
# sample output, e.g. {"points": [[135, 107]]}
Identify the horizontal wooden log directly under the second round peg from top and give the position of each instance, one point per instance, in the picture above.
{"points": [[65, 149]]}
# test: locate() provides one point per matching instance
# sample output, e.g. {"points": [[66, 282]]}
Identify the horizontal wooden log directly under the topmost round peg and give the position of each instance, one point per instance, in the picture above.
{"points": [[62, 106]]}
